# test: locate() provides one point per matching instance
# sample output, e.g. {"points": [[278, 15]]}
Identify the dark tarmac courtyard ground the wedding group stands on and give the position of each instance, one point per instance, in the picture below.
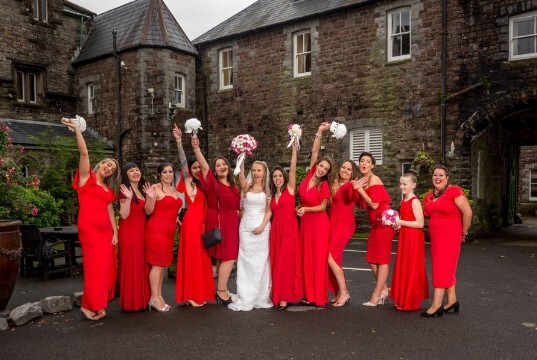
{"points": [[498, 320]]}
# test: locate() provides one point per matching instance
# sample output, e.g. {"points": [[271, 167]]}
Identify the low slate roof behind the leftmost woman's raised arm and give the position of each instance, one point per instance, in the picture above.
{"points": [[27, 133]]}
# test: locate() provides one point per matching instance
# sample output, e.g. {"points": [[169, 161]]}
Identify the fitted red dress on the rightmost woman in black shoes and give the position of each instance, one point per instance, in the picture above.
{"points": [[445, 231]]}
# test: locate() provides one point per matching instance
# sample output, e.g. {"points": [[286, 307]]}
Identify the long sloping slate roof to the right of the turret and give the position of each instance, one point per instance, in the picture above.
{"points": [[266, 13]]}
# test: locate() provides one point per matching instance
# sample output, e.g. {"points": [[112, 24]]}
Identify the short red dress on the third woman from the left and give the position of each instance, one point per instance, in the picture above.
{"points": [[160, 231]]}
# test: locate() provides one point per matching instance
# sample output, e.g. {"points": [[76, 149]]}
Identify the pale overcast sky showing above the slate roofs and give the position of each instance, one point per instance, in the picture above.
{"points": [[195, 16]]}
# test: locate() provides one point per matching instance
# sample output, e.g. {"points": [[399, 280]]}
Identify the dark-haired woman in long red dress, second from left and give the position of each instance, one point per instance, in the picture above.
{"points": [[133, 282]]}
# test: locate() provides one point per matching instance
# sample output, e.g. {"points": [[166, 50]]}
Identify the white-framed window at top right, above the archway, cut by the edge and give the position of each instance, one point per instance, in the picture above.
{"points": [[523, 36]]}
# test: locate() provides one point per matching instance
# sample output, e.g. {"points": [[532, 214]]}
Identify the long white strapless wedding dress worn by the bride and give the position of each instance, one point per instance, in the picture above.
{"points": [[253, 269]]}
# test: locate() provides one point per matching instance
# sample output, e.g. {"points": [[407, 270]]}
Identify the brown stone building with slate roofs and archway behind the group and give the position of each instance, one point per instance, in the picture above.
{"points": [[454, 81]]}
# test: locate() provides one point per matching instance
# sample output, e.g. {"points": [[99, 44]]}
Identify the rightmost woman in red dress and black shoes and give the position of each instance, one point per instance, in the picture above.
{"points": [[450, 216]]}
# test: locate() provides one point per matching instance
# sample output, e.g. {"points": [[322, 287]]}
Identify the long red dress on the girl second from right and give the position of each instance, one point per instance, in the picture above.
{"points": [[409, 280]]}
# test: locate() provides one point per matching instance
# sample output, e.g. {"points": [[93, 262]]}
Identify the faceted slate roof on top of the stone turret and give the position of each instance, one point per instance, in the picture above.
{"points": [[140, 23]]}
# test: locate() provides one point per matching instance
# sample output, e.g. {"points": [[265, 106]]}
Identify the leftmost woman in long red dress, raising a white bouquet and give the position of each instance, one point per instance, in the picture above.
{"points": [[97, 229]]}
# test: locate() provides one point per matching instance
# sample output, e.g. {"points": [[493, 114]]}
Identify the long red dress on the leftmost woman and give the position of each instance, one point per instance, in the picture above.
{"points": [[95, 233]]}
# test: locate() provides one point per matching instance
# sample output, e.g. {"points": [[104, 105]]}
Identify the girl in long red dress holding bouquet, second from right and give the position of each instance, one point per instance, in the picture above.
{"points": [[409, 280]]}
